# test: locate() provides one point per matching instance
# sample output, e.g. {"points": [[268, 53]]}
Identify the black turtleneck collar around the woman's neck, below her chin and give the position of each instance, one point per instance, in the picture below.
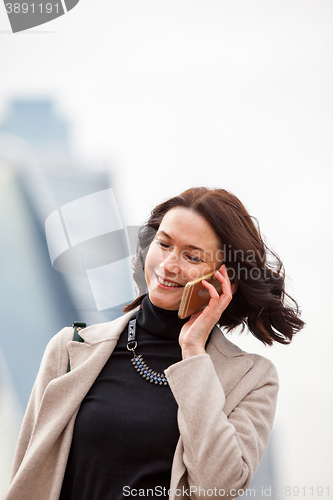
{"points": [[159, 322]]}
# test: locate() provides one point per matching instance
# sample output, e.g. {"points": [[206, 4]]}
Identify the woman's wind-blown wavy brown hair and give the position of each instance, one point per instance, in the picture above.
{"points": [[260, 301]]}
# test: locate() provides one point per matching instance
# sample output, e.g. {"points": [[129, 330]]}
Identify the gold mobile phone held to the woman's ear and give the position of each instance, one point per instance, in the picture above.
{"points": [[196, 296]]}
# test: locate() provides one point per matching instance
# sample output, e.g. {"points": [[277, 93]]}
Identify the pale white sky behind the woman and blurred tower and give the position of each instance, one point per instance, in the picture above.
{"points": [[233, 94]]}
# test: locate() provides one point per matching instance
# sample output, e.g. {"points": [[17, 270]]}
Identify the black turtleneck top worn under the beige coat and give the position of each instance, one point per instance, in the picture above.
{"points": [[126, 431]]}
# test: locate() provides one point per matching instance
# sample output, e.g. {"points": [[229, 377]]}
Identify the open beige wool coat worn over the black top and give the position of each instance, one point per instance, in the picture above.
{"points": [[226, 401]]}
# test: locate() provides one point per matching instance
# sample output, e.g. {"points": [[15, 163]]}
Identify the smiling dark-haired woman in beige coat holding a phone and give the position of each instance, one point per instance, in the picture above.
{"points": [[102, 431]]}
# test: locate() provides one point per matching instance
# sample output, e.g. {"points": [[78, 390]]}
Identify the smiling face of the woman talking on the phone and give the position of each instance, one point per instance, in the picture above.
{"points": [[185, 248]]}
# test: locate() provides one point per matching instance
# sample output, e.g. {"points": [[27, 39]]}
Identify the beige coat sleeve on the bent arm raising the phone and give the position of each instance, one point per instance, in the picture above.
{"points": [[222, 450]]}
